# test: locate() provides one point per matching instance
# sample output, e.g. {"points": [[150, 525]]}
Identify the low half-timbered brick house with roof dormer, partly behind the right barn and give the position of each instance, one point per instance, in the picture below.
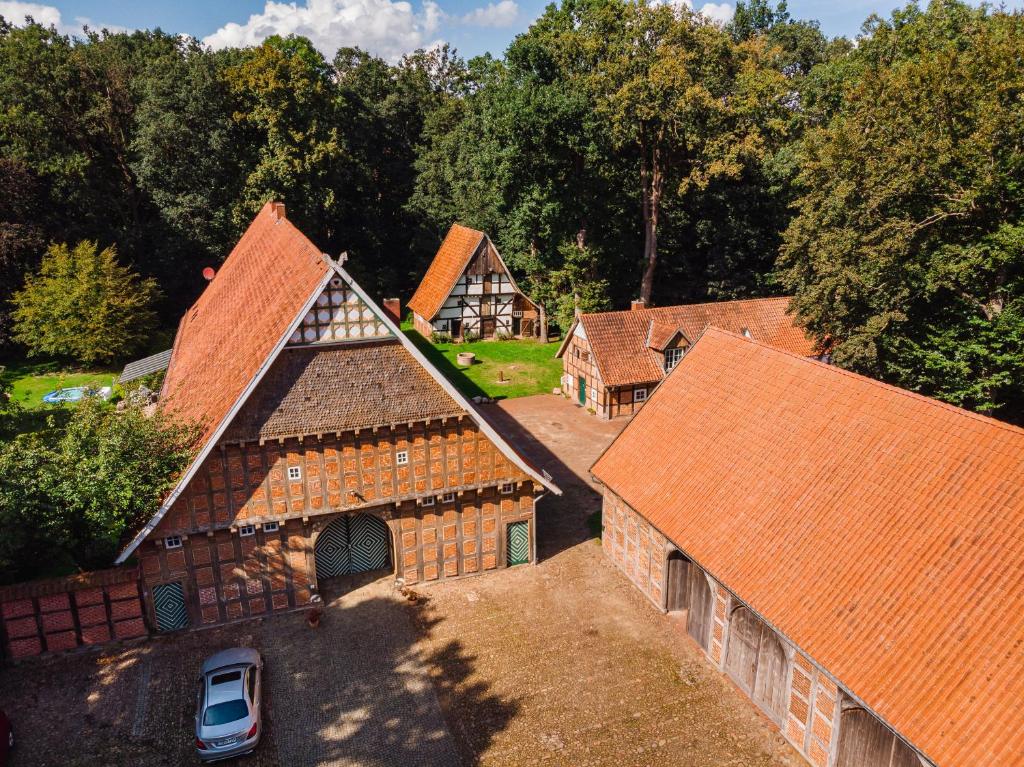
{"points": [[613, 361]]}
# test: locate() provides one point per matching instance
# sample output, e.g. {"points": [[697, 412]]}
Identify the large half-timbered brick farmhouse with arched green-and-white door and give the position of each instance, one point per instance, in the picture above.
{"points": [[329, 446]]}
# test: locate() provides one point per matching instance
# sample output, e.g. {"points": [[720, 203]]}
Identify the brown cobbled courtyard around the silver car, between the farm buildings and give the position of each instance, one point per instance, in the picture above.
{"points": [[562, 664]]}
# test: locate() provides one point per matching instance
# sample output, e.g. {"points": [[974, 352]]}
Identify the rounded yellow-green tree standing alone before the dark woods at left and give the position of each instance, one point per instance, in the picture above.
{"points": [[84, 306]]}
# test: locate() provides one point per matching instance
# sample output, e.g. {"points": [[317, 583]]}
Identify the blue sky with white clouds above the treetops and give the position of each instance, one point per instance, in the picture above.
{"points": [[386, 28]]}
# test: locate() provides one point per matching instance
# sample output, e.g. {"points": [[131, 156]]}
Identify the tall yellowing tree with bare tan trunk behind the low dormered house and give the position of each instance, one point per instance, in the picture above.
{"points": [[690, 103]]}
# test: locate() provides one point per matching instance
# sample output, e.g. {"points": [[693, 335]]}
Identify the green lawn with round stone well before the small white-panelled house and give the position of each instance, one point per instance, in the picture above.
{"points": [[527, 367]]}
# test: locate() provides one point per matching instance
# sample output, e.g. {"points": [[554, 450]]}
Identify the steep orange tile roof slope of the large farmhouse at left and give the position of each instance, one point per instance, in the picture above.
{"points": [[229, 334]]}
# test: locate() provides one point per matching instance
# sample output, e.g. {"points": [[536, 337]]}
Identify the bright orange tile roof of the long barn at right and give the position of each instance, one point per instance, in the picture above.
{"points": [[880, 531]]}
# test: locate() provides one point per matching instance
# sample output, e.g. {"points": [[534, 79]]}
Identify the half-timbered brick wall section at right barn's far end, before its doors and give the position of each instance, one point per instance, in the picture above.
{"points": [[635, 547]]}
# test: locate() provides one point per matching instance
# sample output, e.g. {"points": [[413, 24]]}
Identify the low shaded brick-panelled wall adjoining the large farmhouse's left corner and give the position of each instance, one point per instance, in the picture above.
{"points": [[61, 615]]}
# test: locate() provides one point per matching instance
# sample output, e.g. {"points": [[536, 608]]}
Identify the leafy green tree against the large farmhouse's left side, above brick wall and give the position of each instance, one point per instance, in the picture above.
{"points": [[70, 495]]}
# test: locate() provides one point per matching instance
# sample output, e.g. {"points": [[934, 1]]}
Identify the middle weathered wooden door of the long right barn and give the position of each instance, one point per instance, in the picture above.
{"points": [[756, 661]]}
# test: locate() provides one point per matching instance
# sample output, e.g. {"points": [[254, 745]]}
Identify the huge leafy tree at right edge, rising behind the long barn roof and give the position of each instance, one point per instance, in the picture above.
{"points": [[907, 255]]}
